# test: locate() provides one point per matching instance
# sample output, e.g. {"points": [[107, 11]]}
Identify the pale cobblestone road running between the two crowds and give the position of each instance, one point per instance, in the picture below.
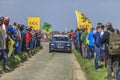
{"points": [[45, 66]]}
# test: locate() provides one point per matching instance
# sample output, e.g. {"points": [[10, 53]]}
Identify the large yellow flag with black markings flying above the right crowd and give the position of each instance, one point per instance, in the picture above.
{"points": [[83, 21]]}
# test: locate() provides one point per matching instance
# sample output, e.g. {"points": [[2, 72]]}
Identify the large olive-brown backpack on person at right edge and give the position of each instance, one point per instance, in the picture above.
{"points": [[114, 44]]}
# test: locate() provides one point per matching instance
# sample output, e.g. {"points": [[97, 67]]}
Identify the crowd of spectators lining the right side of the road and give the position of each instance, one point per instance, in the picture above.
{"points": [[97, 45]]}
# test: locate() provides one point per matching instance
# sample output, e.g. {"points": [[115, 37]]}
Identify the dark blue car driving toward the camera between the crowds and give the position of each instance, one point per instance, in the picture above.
{"points": [[60, 43]]}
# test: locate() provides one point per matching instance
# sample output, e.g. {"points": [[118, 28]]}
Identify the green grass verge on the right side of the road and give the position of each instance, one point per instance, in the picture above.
{"points": [[89, 68]]}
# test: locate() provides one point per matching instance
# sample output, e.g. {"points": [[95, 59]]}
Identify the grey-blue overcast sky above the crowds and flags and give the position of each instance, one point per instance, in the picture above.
{"points": [[61, 13]]}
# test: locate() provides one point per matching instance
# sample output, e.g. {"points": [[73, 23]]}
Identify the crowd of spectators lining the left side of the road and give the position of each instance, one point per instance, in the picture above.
{"points": [[15, 39]]}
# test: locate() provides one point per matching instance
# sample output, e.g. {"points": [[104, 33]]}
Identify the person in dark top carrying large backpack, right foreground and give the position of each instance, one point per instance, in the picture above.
{"points": [[110, 60]]}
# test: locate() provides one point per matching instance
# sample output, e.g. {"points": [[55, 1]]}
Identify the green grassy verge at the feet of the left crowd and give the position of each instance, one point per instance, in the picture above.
{"points": [[17, 59]]}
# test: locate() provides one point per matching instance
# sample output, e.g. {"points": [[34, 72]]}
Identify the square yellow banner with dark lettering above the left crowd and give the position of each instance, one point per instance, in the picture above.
{"points": [[34, 22]]}
